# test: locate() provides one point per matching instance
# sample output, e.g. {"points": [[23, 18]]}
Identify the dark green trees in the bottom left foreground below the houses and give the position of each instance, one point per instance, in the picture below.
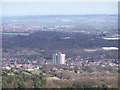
{"points": [[22, 80]]}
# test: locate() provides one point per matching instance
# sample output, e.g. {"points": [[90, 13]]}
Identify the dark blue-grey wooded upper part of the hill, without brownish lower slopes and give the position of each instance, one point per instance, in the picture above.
{"points": [[50, 40]]}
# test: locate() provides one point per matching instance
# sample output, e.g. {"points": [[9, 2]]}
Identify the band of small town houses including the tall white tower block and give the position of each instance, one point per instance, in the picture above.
{"points": [[58, 59]]}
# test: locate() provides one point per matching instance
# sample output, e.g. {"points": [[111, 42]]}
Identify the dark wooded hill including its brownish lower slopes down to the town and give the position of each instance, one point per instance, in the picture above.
{"points": [[45, 43]]}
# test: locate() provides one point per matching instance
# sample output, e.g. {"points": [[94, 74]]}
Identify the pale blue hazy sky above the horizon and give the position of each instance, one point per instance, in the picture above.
{"points": [[52, 8]]}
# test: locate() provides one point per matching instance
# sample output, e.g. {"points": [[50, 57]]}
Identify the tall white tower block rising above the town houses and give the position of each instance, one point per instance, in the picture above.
{"points": [[59, 58]]}
